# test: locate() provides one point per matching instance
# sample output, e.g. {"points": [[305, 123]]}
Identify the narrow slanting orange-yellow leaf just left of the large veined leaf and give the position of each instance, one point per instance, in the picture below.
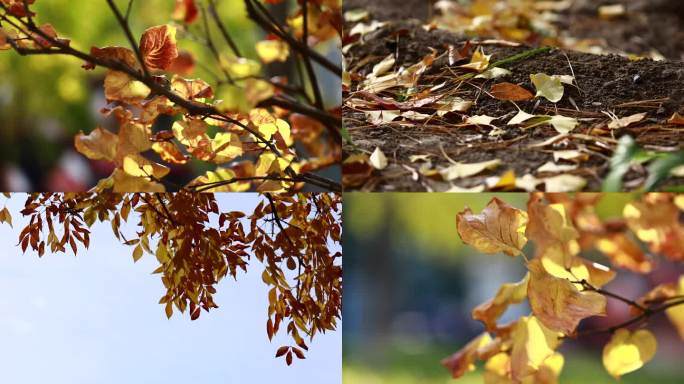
{"points": [[509, 293]]}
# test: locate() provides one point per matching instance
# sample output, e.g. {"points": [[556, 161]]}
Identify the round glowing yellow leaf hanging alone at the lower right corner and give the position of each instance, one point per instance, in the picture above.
{"points": [[626, 352]]}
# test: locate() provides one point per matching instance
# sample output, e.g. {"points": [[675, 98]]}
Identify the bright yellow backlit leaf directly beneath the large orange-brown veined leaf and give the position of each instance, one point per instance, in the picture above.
{"points": [[532, 345]]}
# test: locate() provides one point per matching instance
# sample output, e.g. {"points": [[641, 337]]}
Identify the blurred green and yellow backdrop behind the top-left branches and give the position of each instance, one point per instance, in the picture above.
{"points": [[46, 100]]}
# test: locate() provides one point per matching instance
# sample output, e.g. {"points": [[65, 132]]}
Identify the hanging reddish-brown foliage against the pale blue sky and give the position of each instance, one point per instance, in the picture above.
{"points": [[197, 245]]}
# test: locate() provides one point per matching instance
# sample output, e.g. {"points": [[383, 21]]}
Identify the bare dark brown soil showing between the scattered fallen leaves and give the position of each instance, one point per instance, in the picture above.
{"points": [[604, 83]]}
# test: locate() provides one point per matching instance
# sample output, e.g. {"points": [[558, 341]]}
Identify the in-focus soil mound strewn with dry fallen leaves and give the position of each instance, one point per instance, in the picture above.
{"points": [[465, 114]]}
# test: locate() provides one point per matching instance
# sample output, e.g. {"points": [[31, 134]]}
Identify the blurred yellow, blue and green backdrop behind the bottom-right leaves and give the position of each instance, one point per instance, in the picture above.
{"points": [[410, 285]]}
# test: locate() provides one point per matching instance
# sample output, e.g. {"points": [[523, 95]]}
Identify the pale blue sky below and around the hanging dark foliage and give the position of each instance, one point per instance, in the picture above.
{"points": [[94, 318]]}
